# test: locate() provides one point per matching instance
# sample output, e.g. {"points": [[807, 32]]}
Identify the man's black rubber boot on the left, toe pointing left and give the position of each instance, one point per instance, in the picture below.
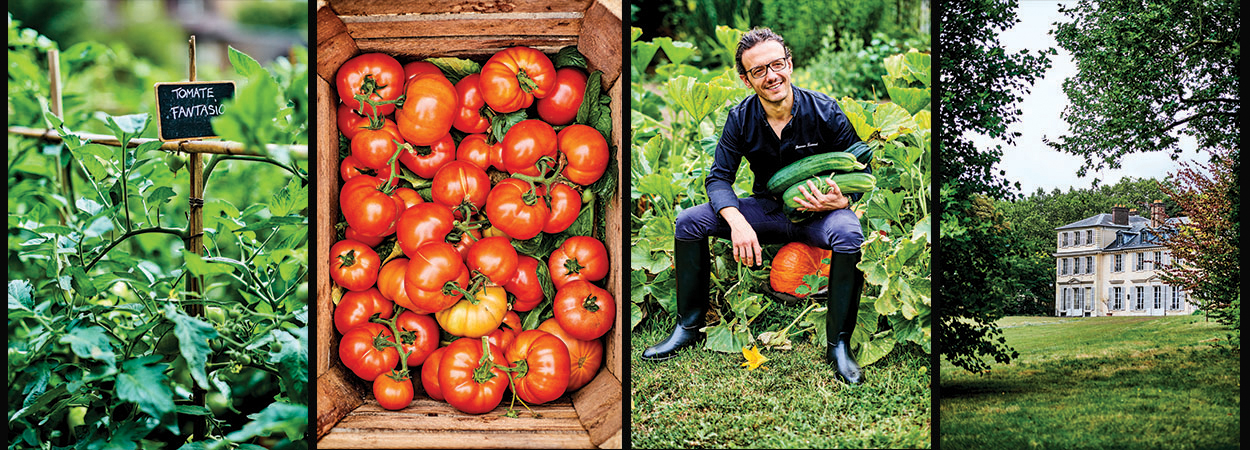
{"points": [[693, 266]]}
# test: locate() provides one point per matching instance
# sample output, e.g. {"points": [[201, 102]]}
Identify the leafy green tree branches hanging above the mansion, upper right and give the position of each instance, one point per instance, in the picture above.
{"points": [[1148, 73]]}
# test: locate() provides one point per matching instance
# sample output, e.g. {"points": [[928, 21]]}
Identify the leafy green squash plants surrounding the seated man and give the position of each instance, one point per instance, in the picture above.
{"points": [[677, 118]]}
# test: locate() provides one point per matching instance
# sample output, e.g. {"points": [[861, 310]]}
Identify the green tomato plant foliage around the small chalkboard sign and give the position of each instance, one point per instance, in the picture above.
{"points": [[108, 348]]}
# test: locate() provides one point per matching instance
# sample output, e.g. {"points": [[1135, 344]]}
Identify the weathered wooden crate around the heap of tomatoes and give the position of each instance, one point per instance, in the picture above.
{"points": [[348, 417]]}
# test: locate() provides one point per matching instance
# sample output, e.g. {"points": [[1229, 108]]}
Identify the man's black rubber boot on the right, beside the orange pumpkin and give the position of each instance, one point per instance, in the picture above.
{"points": [[846, 284]]}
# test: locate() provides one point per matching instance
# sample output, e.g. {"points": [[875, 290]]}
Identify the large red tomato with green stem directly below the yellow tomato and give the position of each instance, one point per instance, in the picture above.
{"points": [[467, 383]]}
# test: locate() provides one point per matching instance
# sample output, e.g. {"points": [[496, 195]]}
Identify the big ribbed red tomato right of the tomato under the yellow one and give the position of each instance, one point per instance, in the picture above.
{"points": [[544, 363]]}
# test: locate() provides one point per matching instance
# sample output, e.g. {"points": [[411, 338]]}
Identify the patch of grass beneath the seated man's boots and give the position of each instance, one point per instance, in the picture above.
{"points": [[707, 399]]}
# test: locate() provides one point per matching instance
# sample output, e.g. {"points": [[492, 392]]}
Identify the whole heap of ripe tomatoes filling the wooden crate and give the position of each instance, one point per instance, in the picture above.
{"points": [[426, 181]]}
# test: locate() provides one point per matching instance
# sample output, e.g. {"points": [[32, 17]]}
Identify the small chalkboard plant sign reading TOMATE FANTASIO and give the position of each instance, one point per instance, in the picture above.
{"points": [[186, 111]]}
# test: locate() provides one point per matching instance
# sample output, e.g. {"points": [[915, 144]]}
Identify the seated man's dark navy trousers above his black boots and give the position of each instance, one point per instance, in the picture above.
{"points": [[838, 231]]}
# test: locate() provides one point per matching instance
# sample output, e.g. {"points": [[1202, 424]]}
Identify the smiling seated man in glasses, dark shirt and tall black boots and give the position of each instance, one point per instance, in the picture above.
{"points": [[778, 126]]}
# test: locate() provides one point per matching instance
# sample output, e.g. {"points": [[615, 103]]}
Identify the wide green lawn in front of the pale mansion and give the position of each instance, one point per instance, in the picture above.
{"points": [[1099, 383]]}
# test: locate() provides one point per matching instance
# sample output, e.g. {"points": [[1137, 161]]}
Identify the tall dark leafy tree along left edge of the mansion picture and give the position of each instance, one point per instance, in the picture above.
{"points": [[982, 84]]}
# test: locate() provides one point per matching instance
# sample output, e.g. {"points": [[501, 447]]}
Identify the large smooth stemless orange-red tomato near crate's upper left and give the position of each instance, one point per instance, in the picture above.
{"points": [[429, 108]]}
